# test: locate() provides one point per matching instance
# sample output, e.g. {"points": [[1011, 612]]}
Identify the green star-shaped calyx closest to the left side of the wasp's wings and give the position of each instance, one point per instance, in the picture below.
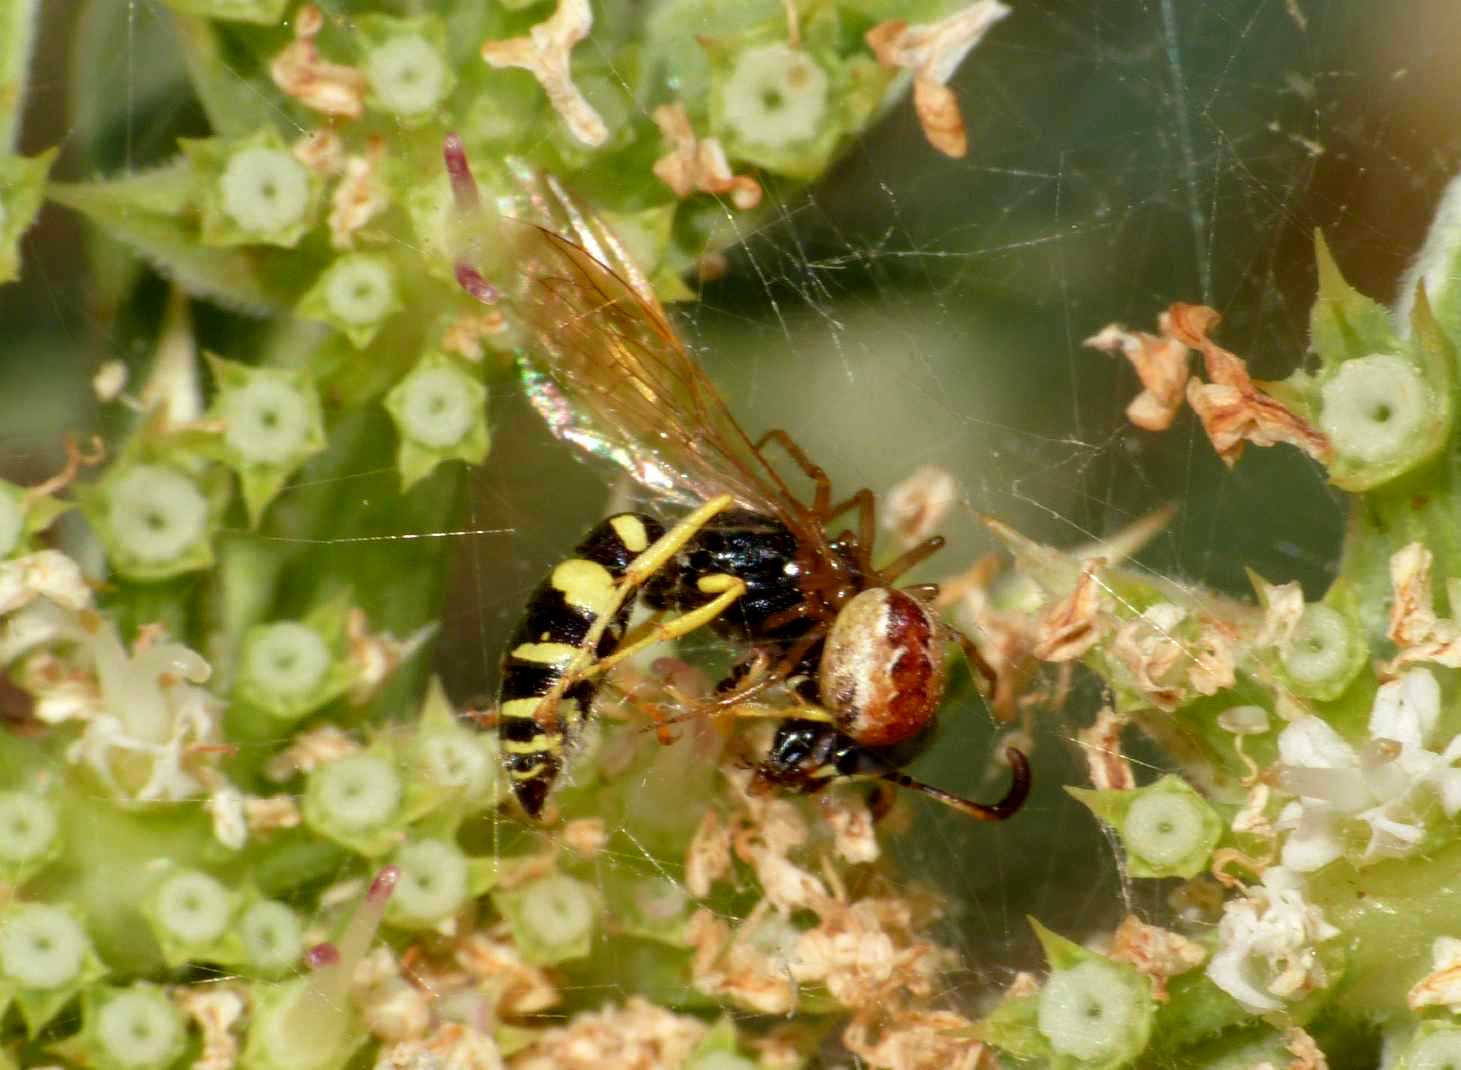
{"points": [[440, 414]]}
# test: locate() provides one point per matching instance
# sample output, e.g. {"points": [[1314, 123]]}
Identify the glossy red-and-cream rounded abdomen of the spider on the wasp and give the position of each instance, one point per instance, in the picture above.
{"points": [[883, 667]]}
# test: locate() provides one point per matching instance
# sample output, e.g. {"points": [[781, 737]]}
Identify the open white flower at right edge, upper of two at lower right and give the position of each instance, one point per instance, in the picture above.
{"points": [[1374, 784]]}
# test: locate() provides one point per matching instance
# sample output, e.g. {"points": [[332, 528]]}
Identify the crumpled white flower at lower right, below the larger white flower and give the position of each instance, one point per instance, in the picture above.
{"points": [[1267, 945]]}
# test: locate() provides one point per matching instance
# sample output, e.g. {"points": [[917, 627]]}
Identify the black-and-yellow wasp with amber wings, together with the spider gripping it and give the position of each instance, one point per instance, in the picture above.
{"points": [[752, 561]]}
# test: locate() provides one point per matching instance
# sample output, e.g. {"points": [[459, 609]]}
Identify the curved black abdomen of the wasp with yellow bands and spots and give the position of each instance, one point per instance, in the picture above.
{"points": [[560, 616]]}
